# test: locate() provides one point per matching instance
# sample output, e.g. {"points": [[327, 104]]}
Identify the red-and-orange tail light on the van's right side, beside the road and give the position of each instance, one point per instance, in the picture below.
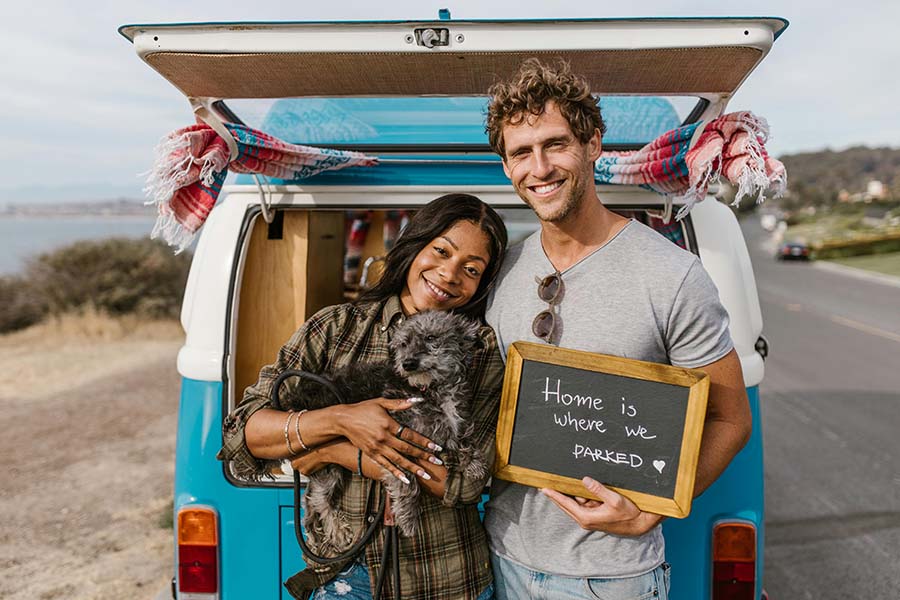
{"points": [[734, 561]]}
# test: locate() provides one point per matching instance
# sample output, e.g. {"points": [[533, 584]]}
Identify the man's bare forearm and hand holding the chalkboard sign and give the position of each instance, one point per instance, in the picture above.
{"points": [[726, 431]]}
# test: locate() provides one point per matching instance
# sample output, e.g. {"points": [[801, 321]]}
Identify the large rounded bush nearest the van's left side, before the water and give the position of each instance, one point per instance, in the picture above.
{"points": [[115, 275]]}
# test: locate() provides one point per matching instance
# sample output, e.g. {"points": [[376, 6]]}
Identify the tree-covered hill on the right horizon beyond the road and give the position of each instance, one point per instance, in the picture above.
{"points": [[818, 177]]}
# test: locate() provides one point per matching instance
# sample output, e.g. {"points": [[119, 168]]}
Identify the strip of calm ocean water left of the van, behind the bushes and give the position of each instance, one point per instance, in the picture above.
{"points": [[23, 237]]}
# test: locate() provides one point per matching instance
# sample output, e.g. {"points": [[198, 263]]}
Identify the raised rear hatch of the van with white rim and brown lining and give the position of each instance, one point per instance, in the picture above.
{"points": [[704, 58]]}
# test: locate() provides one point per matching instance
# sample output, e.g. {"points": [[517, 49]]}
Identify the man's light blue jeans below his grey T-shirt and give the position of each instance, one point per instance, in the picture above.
{"points": [[515, 582]]}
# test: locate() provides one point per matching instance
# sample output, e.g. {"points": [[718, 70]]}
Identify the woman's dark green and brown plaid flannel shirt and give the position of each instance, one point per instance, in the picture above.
{"points": [[449, 557]]}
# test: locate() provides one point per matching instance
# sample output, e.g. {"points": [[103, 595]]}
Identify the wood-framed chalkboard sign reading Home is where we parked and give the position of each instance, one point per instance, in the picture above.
{"points": [[633, 425]]}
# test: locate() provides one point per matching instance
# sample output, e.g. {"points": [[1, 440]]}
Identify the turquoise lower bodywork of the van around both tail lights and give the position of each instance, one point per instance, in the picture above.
{"points": [[258, 549]]}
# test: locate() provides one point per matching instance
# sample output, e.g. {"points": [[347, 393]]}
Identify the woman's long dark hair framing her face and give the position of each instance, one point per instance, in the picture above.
{"points": [[429, 222]]}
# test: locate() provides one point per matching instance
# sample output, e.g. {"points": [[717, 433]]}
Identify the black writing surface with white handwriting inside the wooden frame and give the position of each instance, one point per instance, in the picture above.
{"points": [[622, 431]]}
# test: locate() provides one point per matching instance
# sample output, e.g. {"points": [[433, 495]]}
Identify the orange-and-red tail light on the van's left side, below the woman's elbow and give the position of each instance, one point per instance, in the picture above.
{"points": [[198, 550]]}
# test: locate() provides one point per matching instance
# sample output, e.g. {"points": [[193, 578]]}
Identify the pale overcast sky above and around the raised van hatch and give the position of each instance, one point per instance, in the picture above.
{"points": [[80, 110]]}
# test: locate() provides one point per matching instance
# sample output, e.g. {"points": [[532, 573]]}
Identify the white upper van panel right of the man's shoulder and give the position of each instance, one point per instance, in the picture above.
{"points": [[725, 257]]}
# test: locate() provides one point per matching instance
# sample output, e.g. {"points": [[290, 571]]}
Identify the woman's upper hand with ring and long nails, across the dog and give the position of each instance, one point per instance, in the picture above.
{"points": [[369, 426]]}
